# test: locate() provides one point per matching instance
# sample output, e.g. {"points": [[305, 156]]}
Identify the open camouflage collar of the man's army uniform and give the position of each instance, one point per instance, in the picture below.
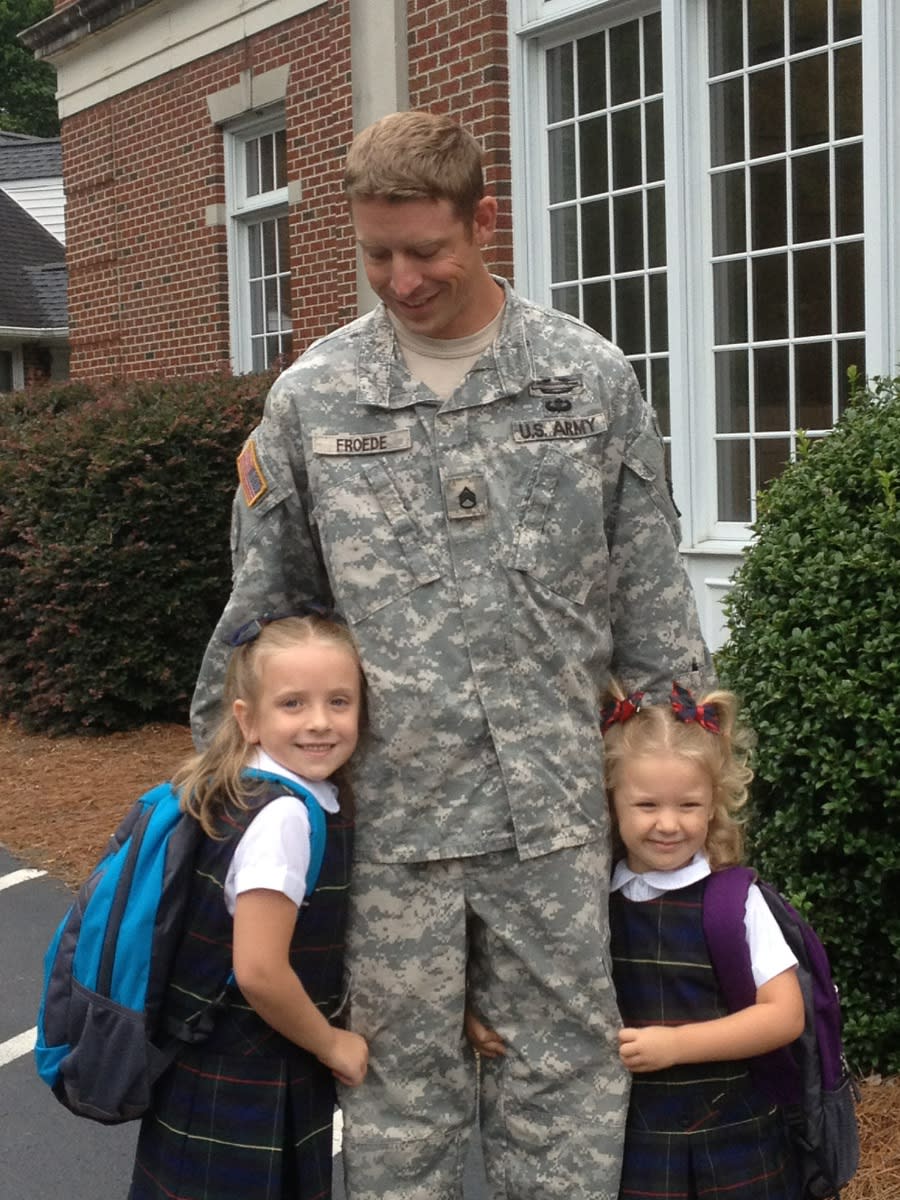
{"points": [[506, 369]]}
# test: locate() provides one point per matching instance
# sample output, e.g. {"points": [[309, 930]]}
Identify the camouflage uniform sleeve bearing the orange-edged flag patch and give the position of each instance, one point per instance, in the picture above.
{"points": [[277, 562]]}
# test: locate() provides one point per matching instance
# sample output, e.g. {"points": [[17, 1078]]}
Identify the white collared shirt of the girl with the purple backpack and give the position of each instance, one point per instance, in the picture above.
{"points": [[770, 953]]}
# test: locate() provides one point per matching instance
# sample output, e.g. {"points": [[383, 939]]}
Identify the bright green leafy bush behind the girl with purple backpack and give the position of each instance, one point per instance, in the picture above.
{"points": [[814, 652]]}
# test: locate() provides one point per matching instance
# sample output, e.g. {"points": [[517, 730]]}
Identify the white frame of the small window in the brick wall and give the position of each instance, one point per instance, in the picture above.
{"points": [[242, 212]]}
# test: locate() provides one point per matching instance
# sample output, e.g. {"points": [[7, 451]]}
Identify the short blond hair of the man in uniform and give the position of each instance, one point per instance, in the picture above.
{"points": [[413, 157]]}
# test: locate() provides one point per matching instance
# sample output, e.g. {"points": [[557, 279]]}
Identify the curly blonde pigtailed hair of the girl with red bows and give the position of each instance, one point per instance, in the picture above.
{"points": [[724, 757]]}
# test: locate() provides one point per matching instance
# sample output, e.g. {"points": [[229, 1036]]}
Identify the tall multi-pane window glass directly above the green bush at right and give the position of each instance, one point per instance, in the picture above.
{"points": [[787, 207]]}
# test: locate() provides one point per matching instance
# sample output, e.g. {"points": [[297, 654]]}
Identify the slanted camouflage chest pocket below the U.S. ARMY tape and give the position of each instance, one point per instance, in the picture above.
{"points": [[561, 541]]}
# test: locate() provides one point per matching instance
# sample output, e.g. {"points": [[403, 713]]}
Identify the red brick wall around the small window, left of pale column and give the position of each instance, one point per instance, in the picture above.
{"points": [[148, 278]]}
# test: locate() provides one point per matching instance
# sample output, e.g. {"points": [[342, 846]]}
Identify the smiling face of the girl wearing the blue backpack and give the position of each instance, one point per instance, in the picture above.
{"points": [[308, 711]]}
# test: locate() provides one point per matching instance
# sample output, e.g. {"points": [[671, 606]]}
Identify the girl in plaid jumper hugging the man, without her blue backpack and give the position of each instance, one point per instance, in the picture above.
{"points": [[248, 1114]]}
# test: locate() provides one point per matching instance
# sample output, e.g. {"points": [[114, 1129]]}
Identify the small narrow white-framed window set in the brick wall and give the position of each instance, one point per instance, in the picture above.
{"points": [[259, 241]]}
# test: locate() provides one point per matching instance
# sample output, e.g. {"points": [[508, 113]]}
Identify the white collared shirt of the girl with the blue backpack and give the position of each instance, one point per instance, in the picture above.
{"points": [[274, 853]]}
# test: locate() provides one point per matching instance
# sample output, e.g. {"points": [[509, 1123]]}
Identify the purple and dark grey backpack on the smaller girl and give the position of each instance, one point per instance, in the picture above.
{"points": [[809, 1079]]}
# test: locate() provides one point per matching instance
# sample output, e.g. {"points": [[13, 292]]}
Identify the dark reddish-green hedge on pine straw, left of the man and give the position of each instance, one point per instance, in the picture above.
{"points": [[115, 560]]}
